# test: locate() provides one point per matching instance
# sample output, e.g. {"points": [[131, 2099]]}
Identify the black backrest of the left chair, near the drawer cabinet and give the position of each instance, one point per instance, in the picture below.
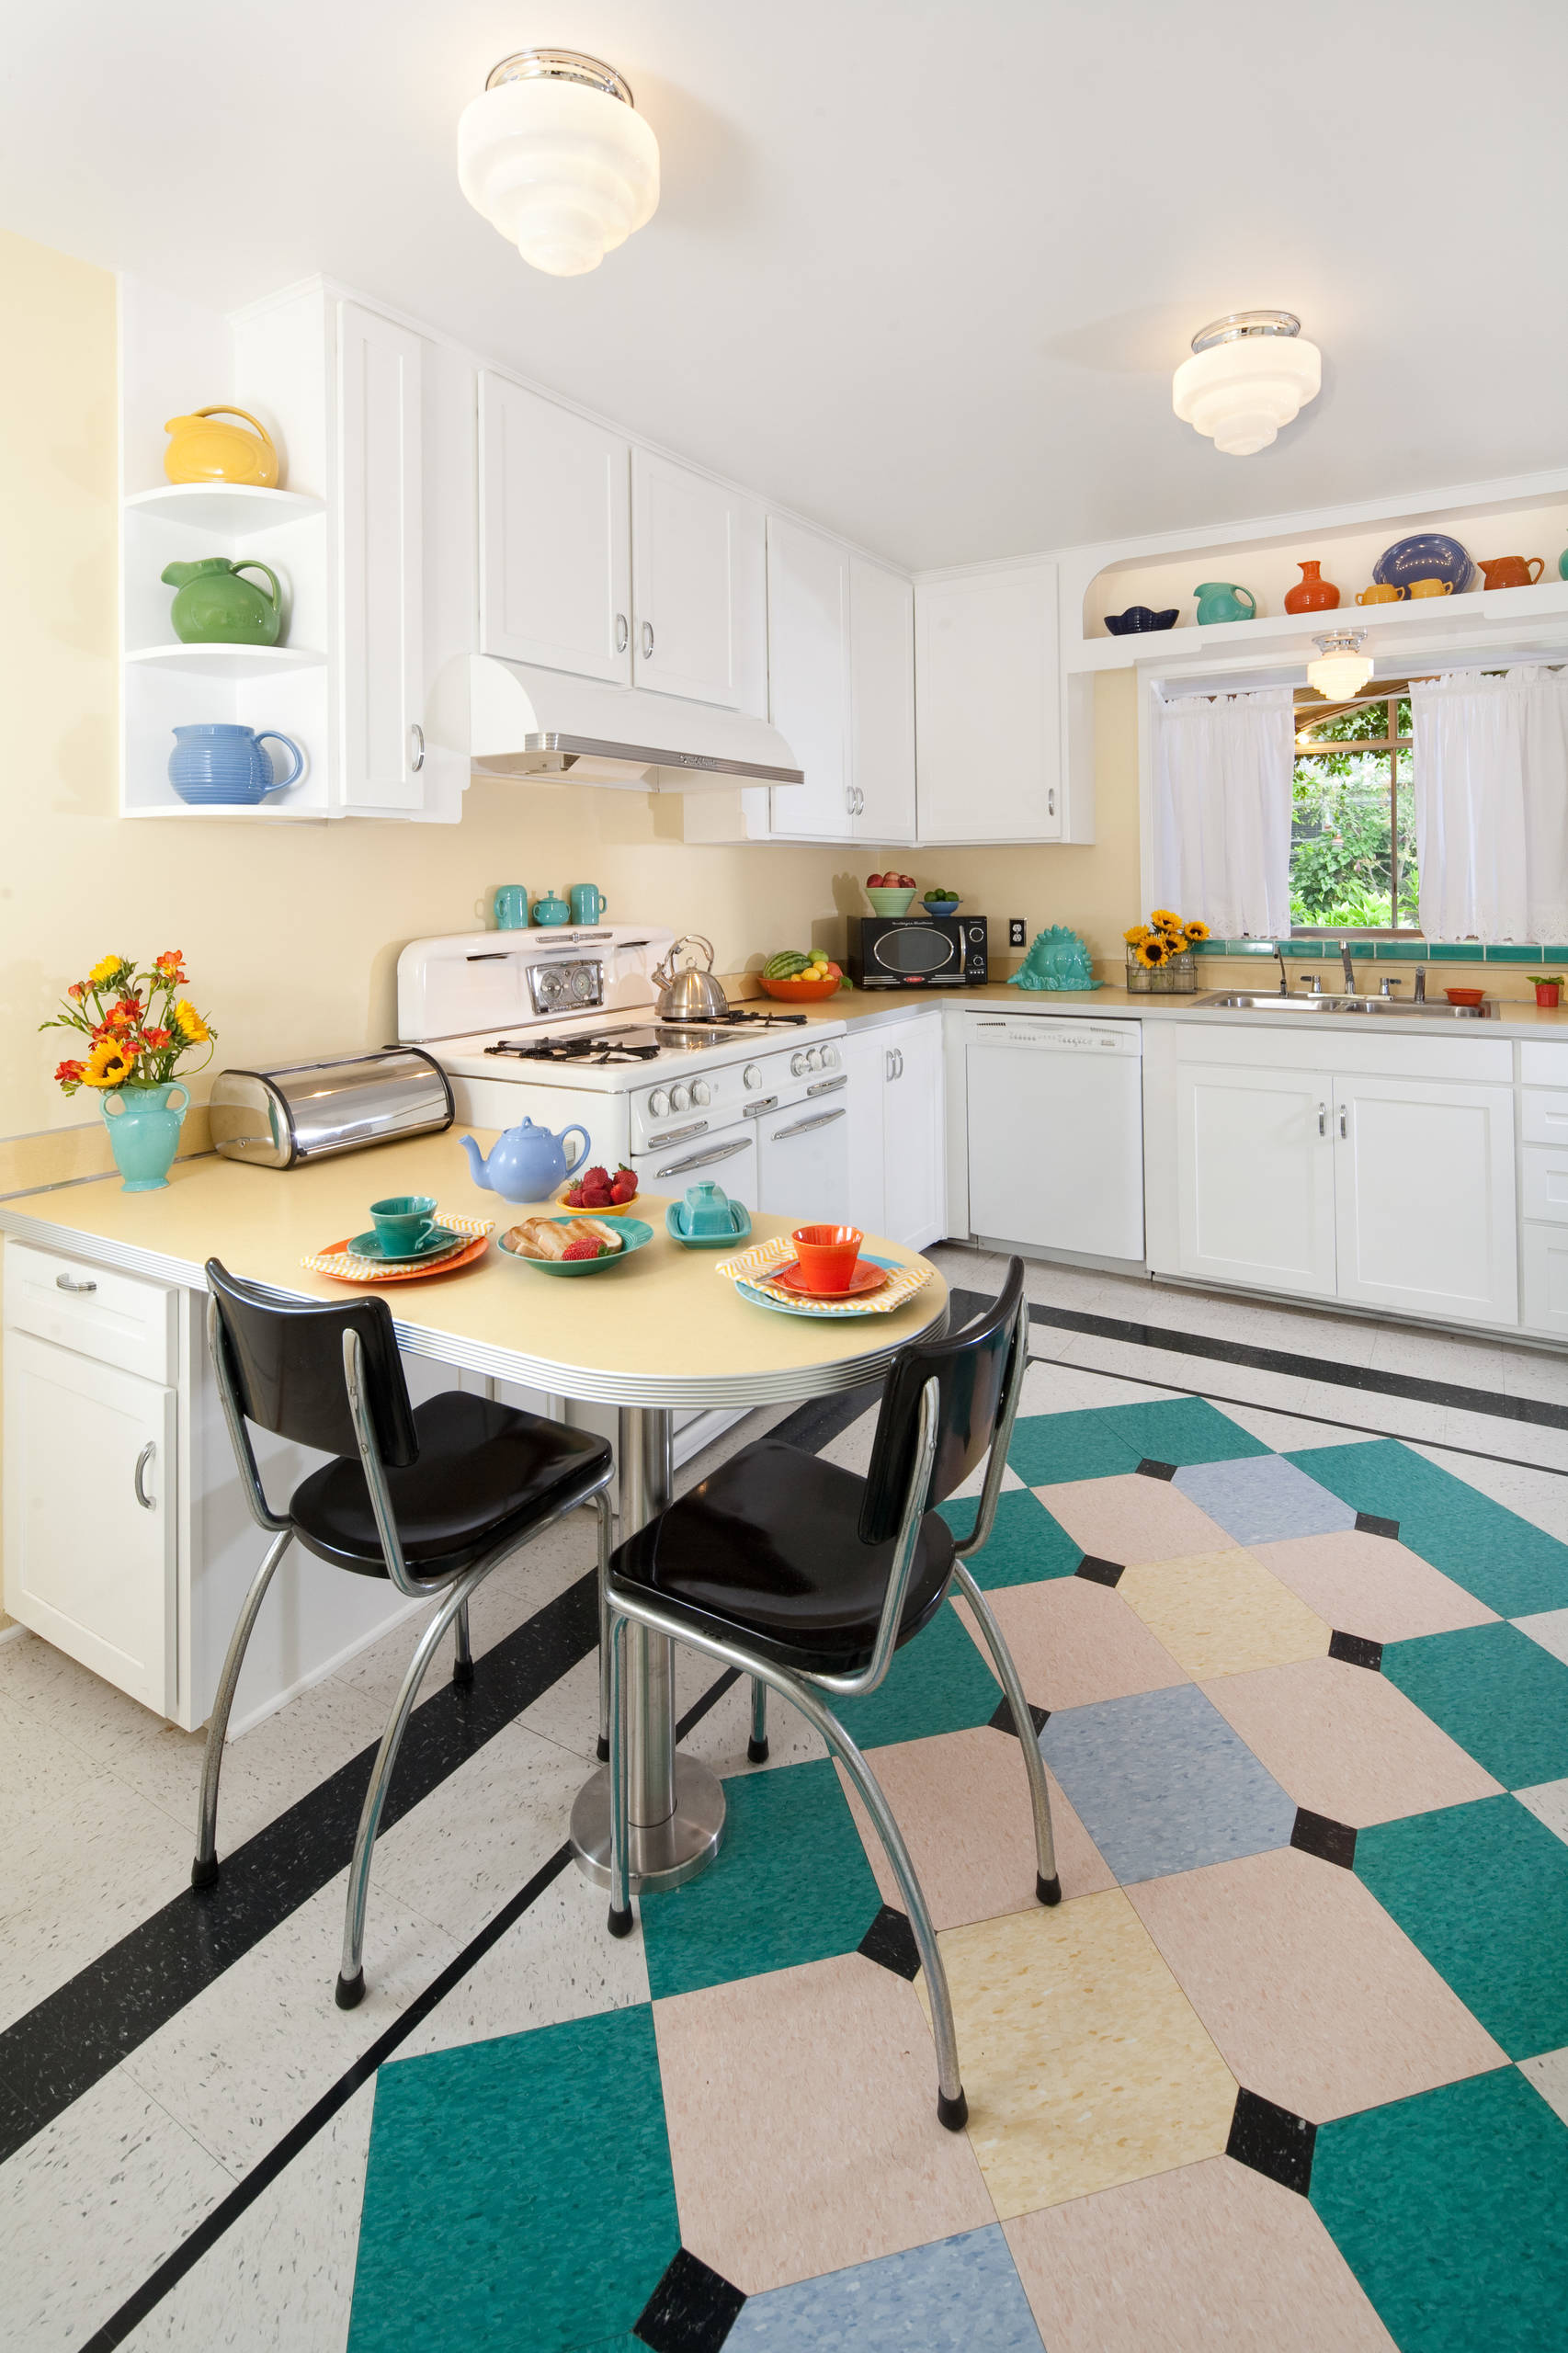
{"points": [[286, 1361]]}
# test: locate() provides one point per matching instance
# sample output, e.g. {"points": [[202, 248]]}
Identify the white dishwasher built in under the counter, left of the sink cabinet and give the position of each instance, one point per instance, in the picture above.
{"points": [[1056, 1119]]}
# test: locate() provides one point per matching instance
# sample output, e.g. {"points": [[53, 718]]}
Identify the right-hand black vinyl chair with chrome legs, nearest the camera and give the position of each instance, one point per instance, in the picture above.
{"points": [[809, 1578]]}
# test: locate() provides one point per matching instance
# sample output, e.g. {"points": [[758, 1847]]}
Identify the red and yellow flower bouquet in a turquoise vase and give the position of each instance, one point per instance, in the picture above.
{"points": [[140, 1029]]}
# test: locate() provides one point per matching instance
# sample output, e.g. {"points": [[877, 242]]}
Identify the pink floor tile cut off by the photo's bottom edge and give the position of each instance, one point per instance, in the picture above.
{"points": [[1192, 2262]]}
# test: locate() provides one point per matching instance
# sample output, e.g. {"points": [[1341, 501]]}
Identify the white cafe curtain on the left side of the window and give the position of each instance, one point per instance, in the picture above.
{"points": [[1223, 811]]}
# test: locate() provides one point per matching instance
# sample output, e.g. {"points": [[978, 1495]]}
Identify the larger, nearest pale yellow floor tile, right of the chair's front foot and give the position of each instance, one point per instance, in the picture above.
{"points": [[1082, 2058]]}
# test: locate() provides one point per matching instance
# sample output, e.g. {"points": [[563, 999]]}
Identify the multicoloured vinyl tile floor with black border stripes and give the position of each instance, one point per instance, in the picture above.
{"points": [[1284, 2072]]}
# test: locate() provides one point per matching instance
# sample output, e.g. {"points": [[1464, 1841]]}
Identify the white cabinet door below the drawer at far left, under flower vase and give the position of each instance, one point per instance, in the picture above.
{"points": [[88, 1564]]}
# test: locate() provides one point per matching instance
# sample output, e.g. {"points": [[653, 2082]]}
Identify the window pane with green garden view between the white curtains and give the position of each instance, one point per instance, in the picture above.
{"points": [[1353, 818]]}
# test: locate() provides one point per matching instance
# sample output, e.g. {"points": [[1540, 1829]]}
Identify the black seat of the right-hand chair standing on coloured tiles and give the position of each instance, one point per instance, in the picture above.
{"points": [[771, 1547]]}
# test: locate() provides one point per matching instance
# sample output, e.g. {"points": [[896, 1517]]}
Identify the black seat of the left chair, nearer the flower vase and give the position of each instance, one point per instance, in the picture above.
{"points": [[484, 1474]]}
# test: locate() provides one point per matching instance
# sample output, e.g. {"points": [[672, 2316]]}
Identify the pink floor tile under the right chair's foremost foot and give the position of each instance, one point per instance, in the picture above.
{"points": [[804, 2128]]}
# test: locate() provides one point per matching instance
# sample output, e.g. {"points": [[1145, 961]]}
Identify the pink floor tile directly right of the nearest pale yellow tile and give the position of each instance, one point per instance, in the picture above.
{"points": [[1313, 1994]]}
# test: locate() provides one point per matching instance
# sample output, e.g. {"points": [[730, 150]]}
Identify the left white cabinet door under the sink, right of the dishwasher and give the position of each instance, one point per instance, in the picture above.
{"points": [[1256, 1178]]}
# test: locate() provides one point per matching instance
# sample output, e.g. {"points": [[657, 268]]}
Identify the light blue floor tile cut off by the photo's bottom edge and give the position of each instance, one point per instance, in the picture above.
{"points": [[950, 2298]]}
